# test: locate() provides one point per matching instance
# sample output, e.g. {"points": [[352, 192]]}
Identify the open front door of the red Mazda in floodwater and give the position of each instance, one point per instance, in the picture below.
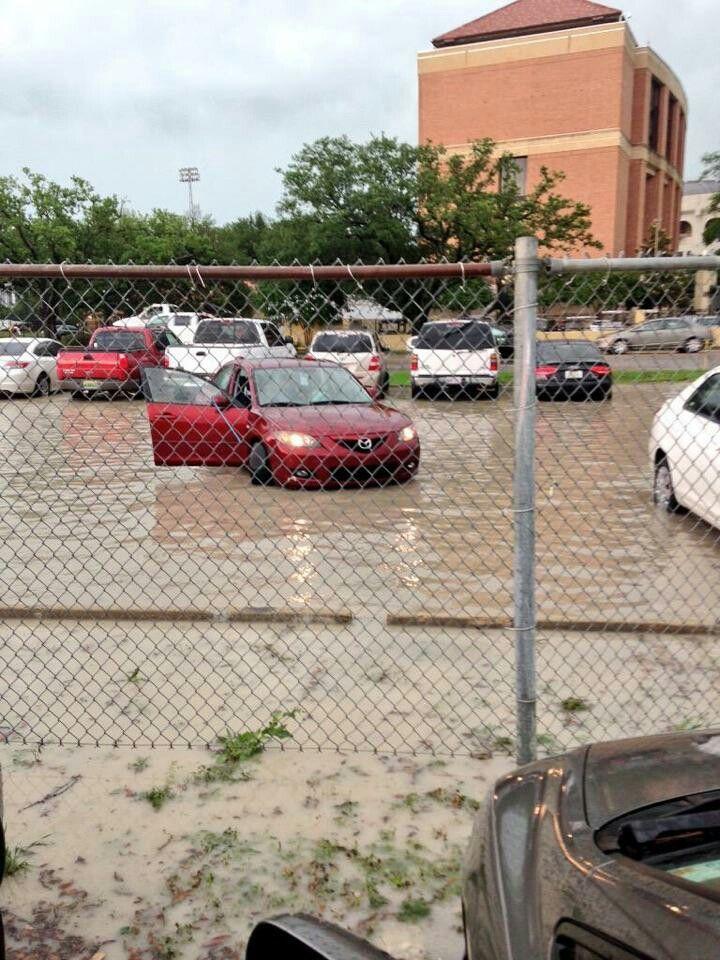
{"points": [[192, 422]]}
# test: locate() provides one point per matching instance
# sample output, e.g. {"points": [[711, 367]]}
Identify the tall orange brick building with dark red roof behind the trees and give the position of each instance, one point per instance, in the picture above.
{"points": [[564, 84]]}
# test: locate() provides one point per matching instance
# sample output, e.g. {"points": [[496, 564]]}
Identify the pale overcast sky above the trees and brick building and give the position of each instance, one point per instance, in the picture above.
{"points": [[125, 93]]}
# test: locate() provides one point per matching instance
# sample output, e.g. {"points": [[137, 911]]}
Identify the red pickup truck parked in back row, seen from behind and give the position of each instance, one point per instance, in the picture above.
{"points": [[113, 361]]}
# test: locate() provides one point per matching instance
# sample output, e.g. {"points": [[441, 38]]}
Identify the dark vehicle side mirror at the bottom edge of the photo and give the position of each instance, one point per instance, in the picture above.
{"points": [[302, 937]]}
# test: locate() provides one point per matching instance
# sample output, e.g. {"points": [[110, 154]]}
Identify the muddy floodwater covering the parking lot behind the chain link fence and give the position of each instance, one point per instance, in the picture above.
{"points": [[89, 523]]}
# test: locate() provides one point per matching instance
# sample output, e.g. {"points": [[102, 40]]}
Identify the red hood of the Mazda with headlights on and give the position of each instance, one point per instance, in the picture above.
{"points": [[336, 420]]}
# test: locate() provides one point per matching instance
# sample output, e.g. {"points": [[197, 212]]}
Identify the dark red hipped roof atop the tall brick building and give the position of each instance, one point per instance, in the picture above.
{"points": [[530, 16]]}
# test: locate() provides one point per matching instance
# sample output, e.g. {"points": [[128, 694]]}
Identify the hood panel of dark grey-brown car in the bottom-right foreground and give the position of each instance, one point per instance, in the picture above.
{"points": [[627, 775]]}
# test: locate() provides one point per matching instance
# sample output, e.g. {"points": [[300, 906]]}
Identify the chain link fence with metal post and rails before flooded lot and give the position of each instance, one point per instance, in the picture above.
{"points": [[232, 492]]}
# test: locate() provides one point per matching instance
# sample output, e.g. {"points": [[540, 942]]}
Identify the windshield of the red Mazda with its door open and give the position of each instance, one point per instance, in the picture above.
{"points": [[306, 386]]}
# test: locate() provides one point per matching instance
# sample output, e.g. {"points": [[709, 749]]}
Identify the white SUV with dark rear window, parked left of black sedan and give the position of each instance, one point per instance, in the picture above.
{"points": [[457, 355]]}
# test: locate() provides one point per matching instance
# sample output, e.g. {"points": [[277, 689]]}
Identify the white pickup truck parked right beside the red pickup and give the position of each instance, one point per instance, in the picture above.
{"points": [[218, 341]]}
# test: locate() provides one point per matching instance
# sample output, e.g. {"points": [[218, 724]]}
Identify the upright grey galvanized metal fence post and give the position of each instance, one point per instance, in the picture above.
{"points": [[527, 267]]}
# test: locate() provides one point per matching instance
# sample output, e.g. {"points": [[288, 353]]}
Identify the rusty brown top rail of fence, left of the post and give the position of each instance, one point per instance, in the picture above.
{"points": [[199, 273]]}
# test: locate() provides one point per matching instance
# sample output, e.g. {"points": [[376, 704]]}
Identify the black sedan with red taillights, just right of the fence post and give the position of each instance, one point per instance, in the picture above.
{"points": [[571, 370]]}
